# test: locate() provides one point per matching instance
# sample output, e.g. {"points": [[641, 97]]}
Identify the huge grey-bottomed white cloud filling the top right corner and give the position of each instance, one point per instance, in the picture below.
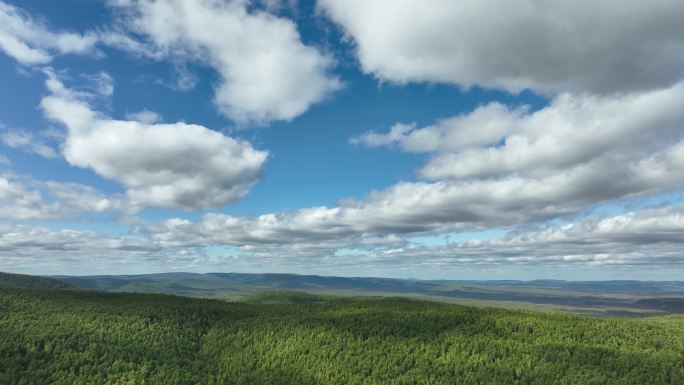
{"points": [[552, 46]]}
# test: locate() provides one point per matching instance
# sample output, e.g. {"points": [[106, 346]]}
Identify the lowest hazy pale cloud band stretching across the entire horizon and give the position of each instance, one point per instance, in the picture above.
{"points": [[645, 238]]}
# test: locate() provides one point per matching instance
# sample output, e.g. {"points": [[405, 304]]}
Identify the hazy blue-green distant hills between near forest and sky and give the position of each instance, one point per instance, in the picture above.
{"points": [[617, 296]]}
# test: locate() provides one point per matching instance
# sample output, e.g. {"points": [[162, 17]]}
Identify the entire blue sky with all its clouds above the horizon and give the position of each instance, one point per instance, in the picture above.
{"points": [[418, 139]]}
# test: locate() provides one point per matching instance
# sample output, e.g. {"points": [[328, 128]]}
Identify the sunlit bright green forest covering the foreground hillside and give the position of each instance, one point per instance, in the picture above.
{"points": [[82, 337]]}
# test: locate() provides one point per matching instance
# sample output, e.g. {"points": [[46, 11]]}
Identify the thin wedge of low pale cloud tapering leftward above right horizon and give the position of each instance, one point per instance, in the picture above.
{"points": [[650, 237]]}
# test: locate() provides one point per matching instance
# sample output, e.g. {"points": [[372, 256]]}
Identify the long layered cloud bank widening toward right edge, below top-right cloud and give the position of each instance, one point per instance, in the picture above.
{"points": [[571, 156]]}
